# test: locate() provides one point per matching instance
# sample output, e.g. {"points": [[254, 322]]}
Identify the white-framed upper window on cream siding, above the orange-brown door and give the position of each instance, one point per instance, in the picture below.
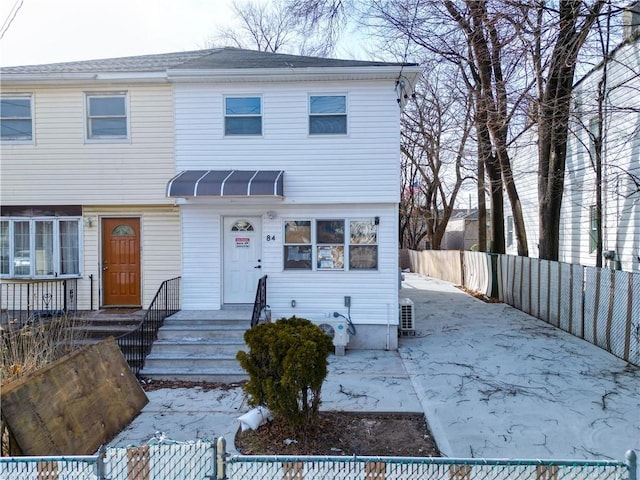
{"points": [[107, 116]]}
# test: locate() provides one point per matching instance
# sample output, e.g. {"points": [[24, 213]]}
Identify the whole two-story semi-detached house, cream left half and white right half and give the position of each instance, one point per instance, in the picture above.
{"points": [[221, 166]]}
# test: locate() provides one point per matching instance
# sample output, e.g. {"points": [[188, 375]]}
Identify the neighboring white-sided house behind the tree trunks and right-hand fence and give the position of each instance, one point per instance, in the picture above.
{"points": [[620, 160]]}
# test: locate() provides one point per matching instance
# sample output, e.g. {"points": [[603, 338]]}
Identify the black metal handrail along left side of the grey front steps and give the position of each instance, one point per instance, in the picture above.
{"points": [[137, 343]]}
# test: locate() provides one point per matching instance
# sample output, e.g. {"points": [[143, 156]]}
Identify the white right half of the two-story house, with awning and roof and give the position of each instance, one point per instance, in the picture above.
{"points": [[289, 168]]}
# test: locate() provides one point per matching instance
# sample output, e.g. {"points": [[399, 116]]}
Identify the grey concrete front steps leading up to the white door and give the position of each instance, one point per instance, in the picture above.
{"points": [[200, 346]]}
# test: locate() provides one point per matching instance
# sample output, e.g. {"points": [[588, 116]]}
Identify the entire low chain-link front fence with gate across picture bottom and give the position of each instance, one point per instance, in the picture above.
{"points": [[207, 461]]}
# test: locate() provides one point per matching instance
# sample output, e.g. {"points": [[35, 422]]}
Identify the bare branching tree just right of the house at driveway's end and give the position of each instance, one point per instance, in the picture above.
{"points": [[435, 136]]}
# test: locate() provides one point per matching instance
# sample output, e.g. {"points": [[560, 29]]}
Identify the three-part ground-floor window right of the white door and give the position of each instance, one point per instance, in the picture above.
{"points": [[331, 244]]}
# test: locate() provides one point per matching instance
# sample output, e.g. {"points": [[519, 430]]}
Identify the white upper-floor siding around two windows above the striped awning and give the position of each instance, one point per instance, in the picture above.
{"points": [[361, 167]]}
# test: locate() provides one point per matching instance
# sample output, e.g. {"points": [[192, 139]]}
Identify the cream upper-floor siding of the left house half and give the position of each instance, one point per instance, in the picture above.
{"points": [[61, 168]]}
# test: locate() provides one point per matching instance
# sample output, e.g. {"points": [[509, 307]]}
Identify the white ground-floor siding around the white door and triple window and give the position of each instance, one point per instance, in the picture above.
{"points": [[374, 293]]}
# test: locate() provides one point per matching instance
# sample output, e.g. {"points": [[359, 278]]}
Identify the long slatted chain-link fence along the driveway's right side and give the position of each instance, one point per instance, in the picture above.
{"points": [[599, 305]]}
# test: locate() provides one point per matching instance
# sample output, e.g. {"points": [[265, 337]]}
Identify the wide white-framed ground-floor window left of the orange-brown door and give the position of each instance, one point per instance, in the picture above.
{"points": [[40, 247]]}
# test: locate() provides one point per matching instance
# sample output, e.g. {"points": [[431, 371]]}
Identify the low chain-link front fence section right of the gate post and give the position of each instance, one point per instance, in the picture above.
{"points": [[393, 468]]}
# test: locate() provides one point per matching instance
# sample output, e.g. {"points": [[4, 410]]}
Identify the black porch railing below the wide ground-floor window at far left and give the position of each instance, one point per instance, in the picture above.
{"points": [[24, 300]]}
